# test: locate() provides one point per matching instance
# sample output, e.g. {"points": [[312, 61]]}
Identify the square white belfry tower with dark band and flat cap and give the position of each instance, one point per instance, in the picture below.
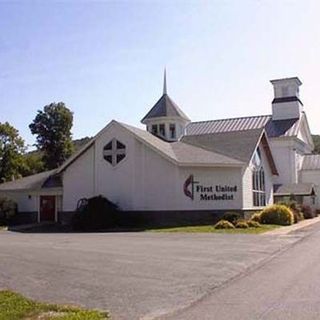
{"points": [[286, 103]]}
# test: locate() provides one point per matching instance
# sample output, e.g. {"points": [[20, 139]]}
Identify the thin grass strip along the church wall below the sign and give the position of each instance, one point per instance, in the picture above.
{"points": [[211, 229]]}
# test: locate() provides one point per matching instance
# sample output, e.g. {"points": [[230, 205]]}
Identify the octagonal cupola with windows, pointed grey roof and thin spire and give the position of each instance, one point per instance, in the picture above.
{"points": [[165, 119]]}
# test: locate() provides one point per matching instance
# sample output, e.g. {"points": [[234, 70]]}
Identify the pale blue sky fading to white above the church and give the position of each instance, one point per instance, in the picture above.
{"points": [[105, 59]]}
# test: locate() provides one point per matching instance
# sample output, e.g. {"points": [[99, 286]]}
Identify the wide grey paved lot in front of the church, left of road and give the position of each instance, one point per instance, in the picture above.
{"points": [[134, 275]]}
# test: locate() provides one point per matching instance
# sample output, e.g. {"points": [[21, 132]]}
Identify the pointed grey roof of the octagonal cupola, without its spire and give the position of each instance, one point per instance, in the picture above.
{"points": [[165, 107]]}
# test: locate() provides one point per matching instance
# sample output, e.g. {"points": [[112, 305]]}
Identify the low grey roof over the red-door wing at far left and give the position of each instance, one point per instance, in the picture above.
{"points": [[35, 182]]}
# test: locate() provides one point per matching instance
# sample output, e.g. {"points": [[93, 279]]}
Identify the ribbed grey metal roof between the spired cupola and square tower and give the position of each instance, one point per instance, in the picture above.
{"points": [[274, 128]]}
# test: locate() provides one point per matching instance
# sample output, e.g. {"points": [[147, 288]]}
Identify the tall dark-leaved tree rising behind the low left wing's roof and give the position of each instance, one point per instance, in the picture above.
{"points": [[53, 129]]}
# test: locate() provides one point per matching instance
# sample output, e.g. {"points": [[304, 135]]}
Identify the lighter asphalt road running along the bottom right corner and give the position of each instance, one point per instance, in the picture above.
{"points": [[287, 287]]}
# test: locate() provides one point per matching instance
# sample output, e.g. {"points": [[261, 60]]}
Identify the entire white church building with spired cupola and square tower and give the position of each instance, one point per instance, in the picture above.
{"points": [[179, 168]]}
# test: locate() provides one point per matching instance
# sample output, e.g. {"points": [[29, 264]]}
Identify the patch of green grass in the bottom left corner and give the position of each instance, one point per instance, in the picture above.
{"points": [[14, 306]]}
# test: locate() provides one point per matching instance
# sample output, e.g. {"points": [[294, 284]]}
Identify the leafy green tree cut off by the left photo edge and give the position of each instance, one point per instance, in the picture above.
{"points": [[11, 152]]}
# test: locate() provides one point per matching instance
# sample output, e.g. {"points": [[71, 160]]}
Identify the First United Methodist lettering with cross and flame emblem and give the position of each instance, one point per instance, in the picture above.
{"points": [[214, 192]]}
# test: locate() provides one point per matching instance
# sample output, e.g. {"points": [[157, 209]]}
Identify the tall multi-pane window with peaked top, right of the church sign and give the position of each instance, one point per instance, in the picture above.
{"points": [[258, 181]]}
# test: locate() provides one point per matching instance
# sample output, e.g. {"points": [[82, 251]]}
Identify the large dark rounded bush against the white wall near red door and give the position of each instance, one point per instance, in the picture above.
{"points": [[95, 214]]}
